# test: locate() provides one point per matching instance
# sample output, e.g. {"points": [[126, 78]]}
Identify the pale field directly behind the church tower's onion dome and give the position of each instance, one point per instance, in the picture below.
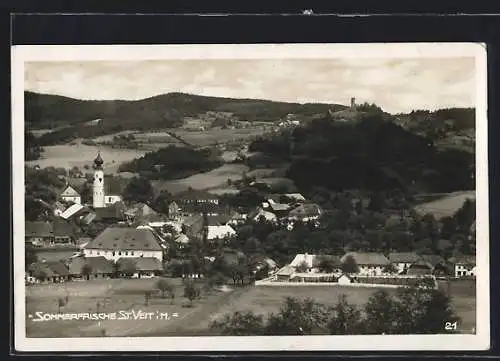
{"points": [[68, 156]]}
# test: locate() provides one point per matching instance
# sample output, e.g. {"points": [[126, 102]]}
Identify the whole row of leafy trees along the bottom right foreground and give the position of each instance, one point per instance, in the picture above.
{"points": [[410, 310]]}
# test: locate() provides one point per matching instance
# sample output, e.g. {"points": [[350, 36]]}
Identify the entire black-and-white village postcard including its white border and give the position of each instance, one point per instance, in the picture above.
{"points": [[250, 197]]}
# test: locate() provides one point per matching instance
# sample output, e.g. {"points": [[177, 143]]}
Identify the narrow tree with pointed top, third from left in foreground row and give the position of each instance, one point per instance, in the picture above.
{"points": [[345, 319]]}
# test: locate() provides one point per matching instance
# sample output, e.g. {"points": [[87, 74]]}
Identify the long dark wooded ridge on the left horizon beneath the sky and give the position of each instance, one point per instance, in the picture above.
{"points": [[44, 111]]}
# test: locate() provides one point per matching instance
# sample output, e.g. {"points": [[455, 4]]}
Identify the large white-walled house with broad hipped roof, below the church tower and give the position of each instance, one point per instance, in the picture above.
{"points": [[122, 242]]}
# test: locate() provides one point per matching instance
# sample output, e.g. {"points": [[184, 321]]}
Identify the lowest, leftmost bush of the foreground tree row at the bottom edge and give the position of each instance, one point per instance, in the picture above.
{"points": [[239, 324]]}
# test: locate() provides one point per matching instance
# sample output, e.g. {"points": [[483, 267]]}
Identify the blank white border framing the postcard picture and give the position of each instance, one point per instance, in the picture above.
{"points": [[479, 341]]}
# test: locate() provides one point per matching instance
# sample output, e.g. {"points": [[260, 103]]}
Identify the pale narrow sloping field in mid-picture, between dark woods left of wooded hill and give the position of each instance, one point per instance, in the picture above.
{"points": [[213, 179]]}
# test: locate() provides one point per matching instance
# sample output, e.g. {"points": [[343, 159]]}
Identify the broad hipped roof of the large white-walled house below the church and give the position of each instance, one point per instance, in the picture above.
{"points": [[125, 238]]}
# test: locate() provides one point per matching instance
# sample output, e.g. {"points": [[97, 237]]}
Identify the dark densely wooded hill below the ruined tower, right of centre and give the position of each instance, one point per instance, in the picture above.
{"points": [[372, 153]]}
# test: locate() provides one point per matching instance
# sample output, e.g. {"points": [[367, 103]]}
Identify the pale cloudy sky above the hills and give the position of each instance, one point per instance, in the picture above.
{"points": [[396, 85]]}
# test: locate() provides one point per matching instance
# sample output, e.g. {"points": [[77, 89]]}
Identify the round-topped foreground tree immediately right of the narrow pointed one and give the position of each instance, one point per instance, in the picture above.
{"points": [[379, 311]]}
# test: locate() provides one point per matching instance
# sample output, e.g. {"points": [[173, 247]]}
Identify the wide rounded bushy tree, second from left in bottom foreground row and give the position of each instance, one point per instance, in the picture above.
{"points": [[298, 317]]}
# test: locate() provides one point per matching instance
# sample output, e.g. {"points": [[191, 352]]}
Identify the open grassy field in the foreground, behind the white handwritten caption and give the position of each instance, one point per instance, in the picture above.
{"points": [[117, 295]]}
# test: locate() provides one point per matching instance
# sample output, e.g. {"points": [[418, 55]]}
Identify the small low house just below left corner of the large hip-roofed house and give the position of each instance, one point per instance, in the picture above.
{"points": [[91, 267]]}
